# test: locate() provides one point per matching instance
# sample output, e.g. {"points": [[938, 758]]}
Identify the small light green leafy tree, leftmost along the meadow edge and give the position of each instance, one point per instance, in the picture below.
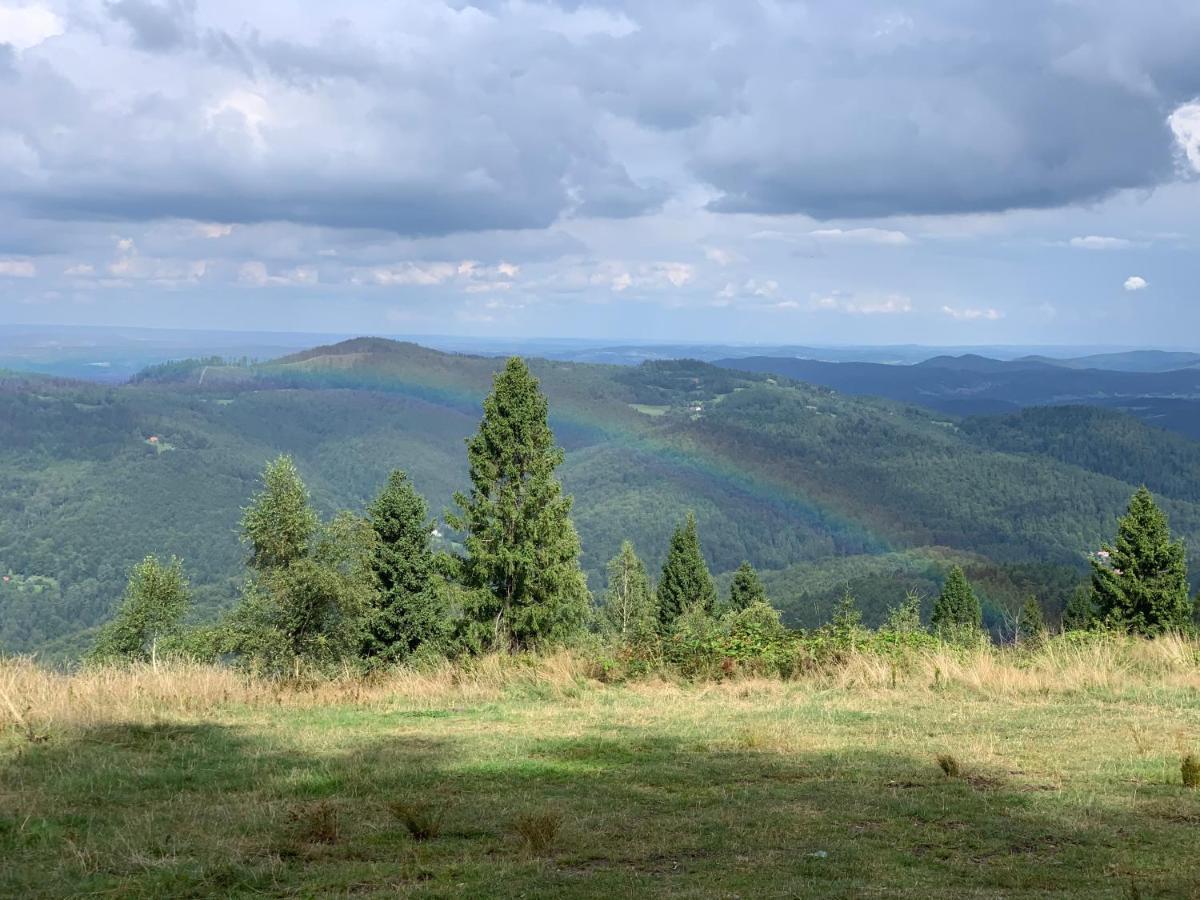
{"points": [[155, 602]]}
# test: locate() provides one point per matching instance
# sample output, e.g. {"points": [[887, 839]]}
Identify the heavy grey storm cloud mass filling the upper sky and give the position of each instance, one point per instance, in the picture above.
{"points": [[427, 119]]}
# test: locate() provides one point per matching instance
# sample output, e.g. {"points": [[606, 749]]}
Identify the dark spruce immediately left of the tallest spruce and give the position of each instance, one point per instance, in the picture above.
{"points": [[409, 611]]}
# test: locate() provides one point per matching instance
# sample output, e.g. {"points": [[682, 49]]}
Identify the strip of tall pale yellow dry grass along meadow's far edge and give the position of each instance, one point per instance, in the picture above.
{"points": [[35, 698]]}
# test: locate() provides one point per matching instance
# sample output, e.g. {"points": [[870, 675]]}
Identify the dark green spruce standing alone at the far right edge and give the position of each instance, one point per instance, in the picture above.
{"points": [[1143, 584]]}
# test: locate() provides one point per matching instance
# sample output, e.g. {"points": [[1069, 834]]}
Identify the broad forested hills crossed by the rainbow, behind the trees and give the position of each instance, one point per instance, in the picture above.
{"points": [[815, 488]]}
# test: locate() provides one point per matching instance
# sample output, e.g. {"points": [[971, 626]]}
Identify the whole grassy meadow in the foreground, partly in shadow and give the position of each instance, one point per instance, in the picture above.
{"points": [[1060, 773]]}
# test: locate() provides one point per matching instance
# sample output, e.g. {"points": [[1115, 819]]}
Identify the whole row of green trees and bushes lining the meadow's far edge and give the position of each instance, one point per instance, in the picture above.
{"points": [[376, 590]]}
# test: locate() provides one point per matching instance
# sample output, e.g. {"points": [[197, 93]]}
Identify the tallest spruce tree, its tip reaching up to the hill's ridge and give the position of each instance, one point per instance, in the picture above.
{"points": [[523, 549]]}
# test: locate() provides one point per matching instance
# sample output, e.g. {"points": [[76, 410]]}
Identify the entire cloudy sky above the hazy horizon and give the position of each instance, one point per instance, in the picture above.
{"points": [[951, 172]]}
